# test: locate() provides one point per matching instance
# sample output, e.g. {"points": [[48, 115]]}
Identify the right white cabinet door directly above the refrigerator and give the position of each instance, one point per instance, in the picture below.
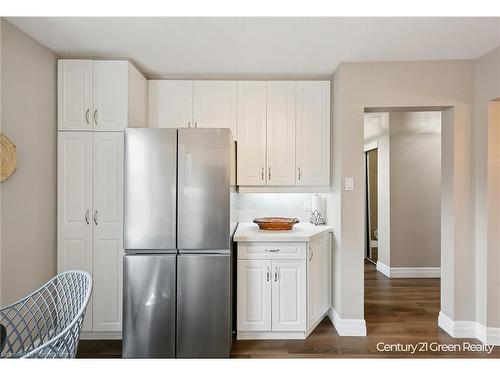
{"points": [[215, 105]]}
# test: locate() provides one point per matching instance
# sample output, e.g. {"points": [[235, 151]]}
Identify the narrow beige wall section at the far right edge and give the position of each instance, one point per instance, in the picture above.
{"points": [[486, 174]]}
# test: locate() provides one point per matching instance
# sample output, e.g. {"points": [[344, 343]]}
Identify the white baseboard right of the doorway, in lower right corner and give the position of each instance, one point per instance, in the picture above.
{"points": [[467, 329]]}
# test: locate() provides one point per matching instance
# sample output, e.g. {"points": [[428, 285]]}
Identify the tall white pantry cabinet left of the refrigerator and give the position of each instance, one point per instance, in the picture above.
{"points": [[97, 100]]}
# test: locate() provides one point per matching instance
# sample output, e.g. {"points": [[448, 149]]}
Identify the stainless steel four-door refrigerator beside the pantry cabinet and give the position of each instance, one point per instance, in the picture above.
{"points": [[178, 231]]}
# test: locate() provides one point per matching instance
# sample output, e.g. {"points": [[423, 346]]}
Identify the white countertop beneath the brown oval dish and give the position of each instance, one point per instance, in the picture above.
{"points": [[302, 232]]}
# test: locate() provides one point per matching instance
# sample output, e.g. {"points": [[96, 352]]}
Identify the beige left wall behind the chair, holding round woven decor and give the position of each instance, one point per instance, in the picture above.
{"points": [[28, 201]]}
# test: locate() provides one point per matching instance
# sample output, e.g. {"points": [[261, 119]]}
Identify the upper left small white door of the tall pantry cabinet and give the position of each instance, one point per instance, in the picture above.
{"points": [[74, 94]]}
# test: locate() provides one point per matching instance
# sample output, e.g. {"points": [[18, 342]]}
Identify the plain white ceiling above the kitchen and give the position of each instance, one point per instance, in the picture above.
{"points": [[177, 47]]}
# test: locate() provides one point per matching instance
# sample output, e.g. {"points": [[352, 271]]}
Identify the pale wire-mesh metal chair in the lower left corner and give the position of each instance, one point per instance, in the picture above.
{"points": [[48, 322]]}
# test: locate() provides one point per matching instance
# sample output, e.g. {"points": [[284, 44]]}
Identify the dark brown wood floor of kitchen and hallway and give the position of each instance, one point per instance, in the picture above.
{"points": [[401, 311]]}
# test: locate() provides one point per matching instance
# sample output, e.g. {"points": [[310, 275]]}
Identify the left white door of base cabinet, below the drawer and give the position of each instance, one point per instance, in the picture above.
{"points": [[254, 295]]}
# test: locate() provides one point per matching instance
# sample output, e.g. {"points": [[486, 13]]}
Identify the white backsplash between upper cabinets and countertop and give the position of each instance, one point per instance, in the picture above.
{"points": [[252, 205]]}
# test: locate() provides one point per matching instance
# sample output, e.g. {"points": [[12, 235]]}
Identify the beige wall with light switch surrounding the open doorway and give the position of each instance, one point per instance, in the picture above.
{"points": [[399, 84]]}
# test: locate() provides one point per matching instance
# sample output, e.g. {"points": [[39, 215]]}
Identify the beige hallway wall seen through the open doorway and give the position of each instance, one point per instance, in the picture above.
{"points": [[415, 189]]}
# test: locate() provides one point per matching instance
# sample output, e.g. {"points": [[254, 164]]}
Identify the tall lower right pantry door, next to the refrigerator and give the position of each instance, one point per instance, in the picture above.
{"points": [[107, 220]]}
